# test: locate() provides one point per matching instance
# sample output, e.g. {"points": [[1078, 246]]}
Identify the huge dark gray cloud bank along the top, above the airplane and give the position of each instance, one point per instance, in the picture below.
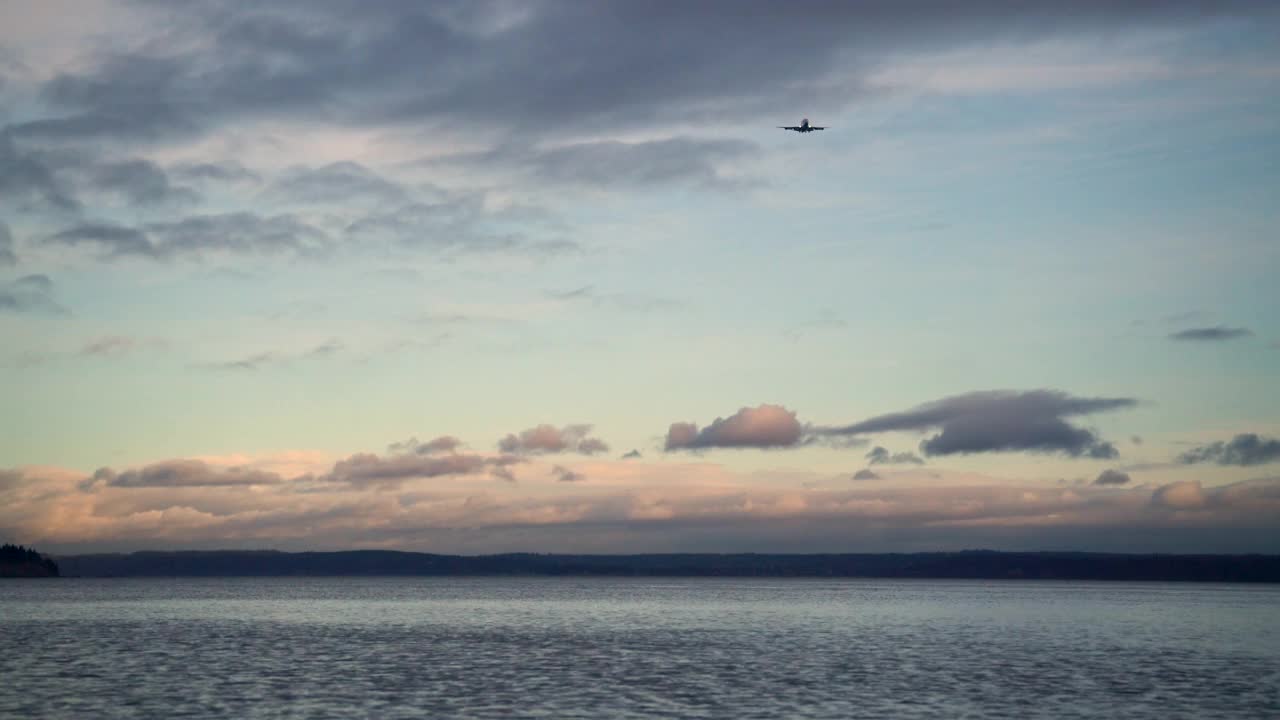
{"points": [[552, 67]]}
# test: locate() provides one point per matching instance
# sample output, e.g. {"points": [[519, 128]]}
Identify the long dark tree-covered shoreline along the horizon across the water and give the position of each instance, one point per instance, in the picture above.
{"points": [[959, 566]]}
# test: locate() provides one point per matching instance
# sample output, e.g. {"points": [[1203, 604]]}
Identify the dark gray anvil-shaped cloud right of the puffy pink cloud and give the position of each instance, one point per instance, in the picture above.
{"points": [[1000, 422]]}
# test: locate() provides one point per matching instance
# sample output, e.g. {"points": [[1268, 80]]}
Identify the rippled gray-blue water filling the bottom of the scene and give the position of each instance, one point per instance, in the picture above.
{"points": [[499, 648]]}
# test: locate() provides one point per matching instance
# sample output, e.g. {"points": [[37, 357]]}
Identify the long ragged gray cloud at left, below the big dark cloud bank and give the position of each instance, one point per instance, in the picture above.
{"points": [[198, 235]]}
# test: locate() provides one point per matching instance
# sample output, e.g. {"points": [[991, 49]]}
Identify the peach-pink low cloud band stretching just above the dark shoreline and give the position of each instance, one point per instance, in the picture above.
{"points": [[458, 503]]}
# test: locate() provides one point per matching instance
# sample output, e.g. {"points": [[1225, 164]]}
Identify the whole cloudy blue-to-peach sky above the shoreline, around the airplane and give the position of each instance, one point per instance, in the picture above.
{"points": [[495, 276]]}
